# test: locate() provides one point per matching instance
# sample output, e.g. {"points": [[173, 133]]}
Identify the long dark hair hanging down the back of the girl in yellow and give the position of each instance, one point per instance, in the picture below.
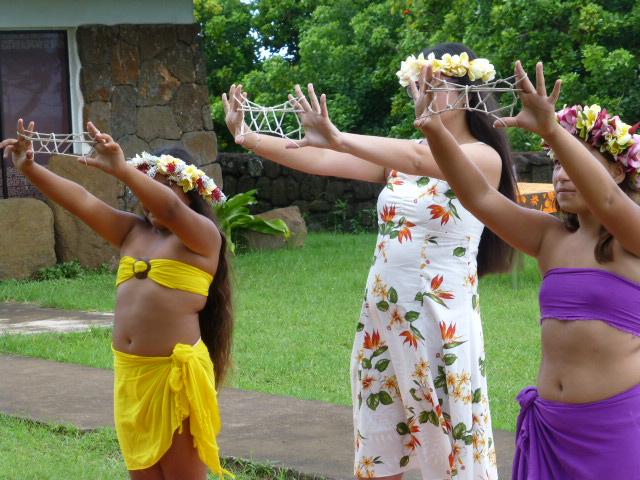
{"points": [[216, 318]]}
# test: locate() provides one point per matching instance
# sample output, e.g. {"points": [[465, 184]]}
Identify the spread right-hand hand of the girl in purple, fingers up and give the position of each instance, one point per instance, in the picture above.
{"points": [[538, 114]]}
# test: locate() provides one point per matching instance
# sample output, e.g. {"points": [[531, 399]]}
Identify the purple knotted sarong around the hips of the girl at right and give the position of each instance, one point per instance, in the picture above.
{"points": [[567, 441]]}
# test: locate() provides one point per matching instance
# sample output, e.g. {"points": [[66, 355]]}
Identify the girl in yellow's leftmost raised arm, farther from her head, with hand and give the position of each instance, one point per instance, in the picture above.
{"points": [[110, 223]]}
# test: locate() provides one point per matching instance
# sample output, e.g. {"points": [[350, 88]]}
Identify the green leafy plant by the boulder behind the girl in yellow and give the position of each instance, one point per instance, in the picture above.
{"points": [[234, 218]]}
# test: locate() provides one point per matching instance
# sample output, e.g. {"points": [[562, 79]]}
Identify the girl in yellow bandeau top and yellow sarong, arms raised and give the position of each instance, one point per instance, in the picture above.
{"points": [[173, 319]]}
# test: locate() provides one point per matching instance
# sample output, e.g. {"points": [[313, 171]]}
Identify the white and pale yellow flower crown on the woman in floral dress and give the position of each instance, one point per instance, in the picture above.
{"points": [[449, 65]]}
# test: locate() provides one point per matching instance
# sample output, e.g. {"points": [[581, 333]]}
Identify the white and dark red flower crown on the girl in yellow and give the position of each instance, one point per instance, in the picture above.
{"points": [[187, 176]]}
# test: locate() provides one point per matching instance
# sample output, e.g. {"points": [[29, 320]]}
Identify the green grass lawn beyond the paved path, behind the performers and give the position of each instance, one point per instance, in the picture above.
{"points": [[296, 317]]}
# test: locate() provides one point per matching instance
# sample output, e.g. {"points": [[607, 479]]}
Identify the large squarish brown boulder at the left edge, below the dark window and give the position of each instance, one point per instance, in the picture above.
{"points": [[30, 246]]}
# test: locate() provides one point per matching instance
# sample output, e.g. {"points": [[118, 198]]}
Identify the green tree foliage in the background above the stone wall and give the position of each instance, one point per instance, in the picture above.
{"points": [[351, 49]]}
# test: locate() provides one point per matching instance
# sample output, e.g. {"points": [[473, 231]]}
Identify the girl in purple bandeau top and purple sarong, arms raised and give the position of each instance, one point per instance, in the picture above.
{"points": [[583, 420]]}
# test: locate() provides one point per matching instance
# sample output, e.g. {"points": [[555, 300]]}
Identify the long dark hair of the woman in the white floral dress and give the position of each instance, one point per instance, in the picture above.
{"points": [[494, 254]]}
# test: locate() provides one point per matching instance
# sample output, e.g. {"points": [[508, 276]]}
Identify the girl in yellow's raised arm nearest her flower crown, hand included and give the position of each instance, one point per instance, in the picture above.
{"points": [[198, 233]]}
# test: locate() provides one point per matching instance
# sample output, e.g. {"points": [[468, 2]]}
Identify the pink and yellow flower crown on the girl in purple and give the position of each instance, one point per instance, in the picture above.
{"points": [[605, 132]]}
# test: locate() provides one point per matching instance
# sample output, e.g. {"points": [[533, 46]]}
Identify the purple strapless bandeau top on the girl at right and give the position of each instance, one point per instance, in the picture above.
{"points": [[591, 294]]}
